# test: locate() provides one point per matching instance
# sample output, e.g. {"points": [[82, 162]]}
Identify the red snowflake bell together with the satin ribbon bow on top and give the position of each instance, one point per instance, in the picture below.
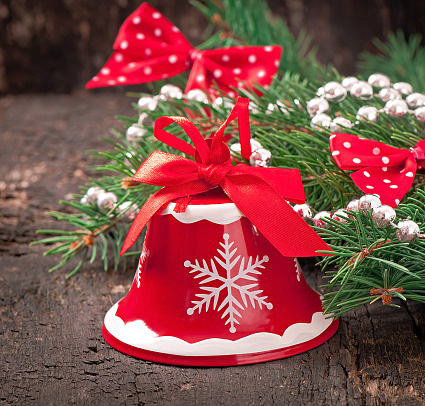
{"points": [[217, 282]]}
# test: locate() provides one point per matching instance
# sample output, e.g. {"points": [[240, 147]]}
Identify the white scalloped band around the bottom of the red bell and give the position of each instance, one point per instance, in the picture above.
{"points": [[138, 335]]}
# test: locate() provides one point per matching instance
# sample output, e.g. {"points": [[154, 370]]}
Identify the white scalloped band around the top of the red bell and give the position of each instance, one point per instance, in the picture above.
{"points": [[224, 213]]}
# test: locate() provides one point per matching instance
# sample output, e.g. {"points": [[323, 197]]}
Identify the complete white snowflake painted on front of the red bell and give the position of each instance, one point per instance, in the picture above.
{"points": [[228, 284]]}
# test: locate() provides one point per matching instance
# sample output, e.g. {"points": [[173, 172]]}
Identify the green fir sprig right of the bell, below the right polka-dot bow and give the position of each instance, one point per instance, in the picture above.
{"points": [[369, 263]]}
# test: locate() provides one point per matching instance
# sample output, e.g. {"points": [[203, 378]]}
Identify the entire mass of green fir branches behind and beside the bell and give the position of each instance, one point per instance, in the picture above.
{"points": [[367, 259]]}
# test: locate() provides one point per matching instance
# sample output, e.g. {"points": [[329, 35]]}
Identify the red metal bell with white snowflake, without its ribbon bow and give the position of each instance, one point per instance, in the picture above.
{"points": [[221, 296]]}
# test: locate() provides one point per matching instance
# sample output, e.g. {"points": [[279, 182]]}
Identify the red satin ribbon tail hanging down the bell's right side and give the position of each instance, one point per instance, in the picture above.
{"points": [[284, 228]]}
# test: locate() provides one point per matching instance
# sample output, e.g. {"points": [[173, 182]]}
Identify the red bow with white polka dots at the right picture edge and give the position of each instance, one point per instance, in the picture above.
{"points": [[380, 169]]}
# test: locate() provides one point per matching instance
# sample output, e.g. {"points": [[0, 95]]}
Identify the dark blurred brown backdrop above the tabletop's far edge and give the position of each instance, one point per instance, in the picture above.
{"points": [[57, 45]]}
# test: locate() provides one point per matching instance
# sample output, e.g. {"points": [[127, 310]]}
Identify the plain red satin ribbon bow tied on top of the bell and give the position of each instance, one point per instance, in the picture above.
{"points": [[260, 193]]}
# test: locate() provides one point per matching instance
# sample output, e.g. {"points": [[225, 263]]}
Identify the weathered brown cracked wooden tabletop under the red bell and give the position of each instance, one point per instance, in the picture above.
{"points": [[51, 348]]}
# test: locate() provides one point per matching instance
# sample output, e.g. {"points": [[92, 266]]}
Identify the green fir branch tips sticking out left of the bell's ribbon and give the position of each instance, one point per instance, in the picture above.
{"points": [[96, 229]]}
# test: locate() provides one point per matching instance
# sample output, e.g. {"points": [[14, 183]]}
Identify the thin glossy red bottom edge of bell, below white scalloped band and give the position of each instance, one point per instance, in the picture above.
{"points": [[219, 360]]}
